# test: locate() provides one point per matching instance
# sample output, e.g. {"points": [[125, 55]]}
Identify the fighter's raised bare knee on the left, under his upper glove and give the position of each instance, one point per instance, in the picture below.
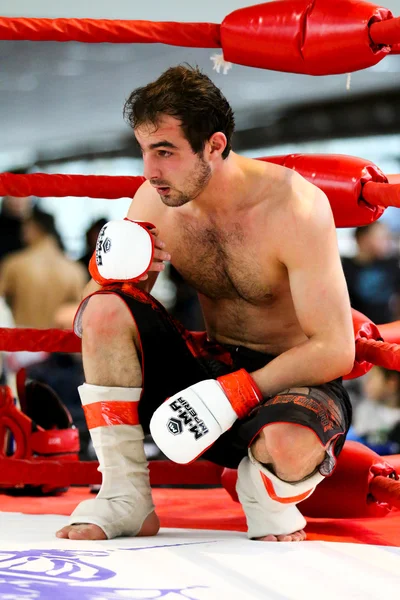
{"points": [[106, 316]]}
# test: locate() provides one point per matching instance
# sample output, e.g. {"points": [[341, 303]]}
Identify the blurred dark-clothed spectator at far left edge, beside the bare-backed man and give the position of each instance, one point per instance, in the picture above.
{"points": [[13, 212]]}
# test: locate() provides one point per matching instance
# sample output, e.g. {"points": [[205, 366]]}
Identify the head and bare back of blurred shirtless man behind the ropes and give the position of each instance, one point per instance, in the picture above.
{"points": [[36, 281]]}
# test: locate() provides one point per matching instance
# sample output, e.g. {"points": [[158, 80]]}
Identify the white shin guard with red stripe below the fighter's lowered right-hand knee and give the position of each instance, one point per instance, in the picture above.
{"points": [[270, 503]]}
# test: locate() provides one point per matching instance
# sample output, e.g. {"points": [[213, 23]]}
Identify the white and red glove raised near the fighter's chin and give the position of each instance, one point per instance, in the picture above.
{"points": [[124, 252]]}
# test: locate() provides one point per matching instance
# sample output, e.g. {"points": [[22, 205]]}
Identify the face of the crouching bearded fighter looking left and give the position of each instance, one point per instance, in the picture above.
{"points": [[173, 169]]}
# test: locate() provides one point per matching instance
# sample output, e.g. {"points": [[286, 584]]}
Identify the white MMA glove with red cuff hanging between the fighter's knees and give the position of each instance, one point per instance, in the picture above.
{"points": [[191, 421]]}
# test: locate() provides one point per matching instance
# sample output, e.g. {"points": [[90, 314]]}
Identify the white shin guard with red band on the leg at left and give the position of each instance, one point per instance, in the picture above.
{"points": [[124, 500]]}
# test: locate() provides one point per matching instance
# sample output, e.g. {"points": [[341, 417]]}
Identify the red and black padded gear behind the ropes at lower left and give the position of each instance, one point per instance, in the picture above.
{"points": [[41, 429]]}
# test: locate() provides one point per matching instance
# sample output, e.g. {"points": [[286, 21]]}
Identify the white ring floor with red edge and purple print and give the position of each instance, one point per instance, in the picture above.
{"points": [[214, 561]]}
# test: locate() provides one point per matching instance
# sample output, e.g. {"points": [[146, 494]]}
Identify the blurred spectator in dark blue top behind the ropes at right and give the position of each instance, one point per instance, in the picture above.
{"points": [[373, 274]]}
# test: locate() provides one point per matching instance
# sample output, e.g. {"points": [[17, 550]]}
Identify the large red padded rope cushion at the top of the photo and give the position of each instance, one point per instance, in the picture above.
{"points": [[300, 36]]}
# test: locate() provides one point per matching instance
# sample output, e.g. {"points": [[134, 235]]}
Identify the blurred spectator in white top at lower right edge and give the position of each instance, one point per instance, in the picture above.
{"points": [[376, 419]]}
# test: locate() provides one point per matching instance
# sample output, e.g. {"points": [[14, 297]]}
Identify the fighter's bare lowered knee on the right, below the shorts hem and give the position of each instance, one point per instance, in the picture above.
{"points": [[292, 451]]}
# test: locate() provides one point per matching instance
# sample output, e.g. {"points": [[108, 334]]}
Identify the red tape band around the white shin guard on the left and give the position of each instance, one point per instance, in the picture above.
{"points": [[107, 414]]}
